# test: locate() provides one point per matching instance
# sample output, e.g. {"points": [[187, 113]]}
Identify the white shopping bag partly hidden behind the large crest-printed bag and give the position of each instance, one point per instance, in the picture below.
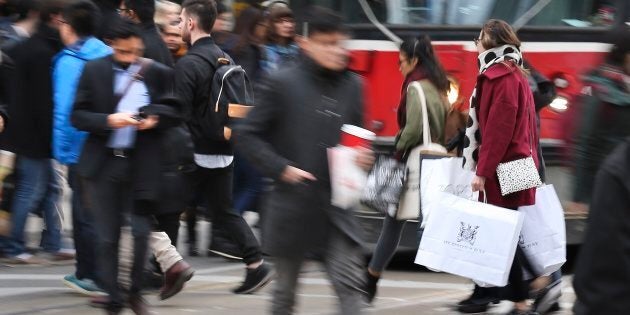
{"points": [[443, 174]]}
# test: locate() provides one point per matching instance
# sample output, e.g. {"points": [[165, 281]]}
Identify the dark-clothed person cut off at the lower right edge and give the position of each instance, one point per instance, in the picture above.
{"points": [[602, 271]]}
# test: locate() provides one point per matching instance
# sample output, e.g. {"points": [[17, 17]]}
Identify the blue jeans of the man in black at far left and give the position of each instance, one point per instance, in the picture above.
{"points": [[36, 188]]}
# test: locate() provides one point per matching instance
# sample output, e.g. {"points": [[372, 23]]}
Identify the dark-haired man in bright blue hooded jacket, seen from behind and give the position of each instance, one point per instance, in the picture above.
{"points": [[79, 24]]}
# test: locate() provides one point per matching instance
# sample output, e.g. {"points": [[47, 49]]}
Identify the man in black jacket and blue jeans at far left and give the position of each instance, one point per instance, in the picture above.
{"points": [[30, 136]]}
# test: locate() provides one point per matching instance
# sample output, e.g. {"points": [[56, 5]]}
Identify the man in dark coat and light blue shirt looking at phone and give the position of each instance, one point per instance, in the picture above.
{"points": [[122, 157]]}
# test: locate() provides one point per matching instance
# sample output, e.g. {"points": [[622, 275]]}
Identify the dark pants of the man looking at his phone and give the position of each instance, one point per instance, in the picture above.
{"points": [[112, 200]]}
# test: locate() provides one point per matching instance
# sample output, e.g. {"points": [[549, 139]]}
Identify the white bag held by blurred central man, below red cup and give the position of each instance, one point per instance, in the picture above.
{"points": [[347, 179]]}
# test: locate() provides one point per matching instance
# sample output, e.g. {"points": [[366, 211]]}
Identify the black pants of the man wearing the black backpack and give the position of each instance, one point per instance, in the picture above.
{"points": [[216, 186]]}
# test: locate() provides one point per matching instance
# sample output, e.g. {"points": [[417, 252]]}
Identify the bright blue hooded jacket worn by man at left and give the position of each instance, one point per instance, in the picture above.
{"points": [[67, 69]]}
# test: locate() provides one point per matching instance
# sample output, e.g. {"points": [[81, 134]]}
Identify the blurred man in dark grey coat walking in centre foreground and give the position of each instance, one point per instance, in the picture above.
{"points": [[299, 114]]}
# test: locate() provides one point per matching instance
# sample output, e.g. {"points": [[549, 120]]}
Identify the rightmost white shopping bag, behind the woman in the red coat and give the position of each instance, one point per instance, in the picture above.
{"points": [[543, 236]]}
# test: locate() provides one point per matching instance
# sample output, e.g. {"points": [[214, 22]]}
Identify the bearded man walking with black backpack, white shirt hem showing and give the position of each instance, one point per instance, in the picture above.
{"points": [[213, 153]]}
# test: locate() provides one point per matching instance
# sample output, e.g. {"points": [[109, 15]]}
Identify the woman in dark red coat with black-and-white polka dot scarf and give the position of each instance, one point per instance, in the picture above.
{"points": [[502, 128]]}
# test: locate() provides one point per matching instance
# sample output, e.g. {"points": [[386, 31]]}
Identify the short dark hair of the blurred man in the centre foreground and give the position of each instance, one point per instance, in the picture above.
{"points": [[316, 19]]}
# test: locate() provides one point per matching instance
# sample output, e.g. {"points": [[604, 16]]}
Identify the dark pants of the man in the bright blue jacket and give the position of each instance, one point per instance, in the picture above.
{"points": [[83, 230]]}
